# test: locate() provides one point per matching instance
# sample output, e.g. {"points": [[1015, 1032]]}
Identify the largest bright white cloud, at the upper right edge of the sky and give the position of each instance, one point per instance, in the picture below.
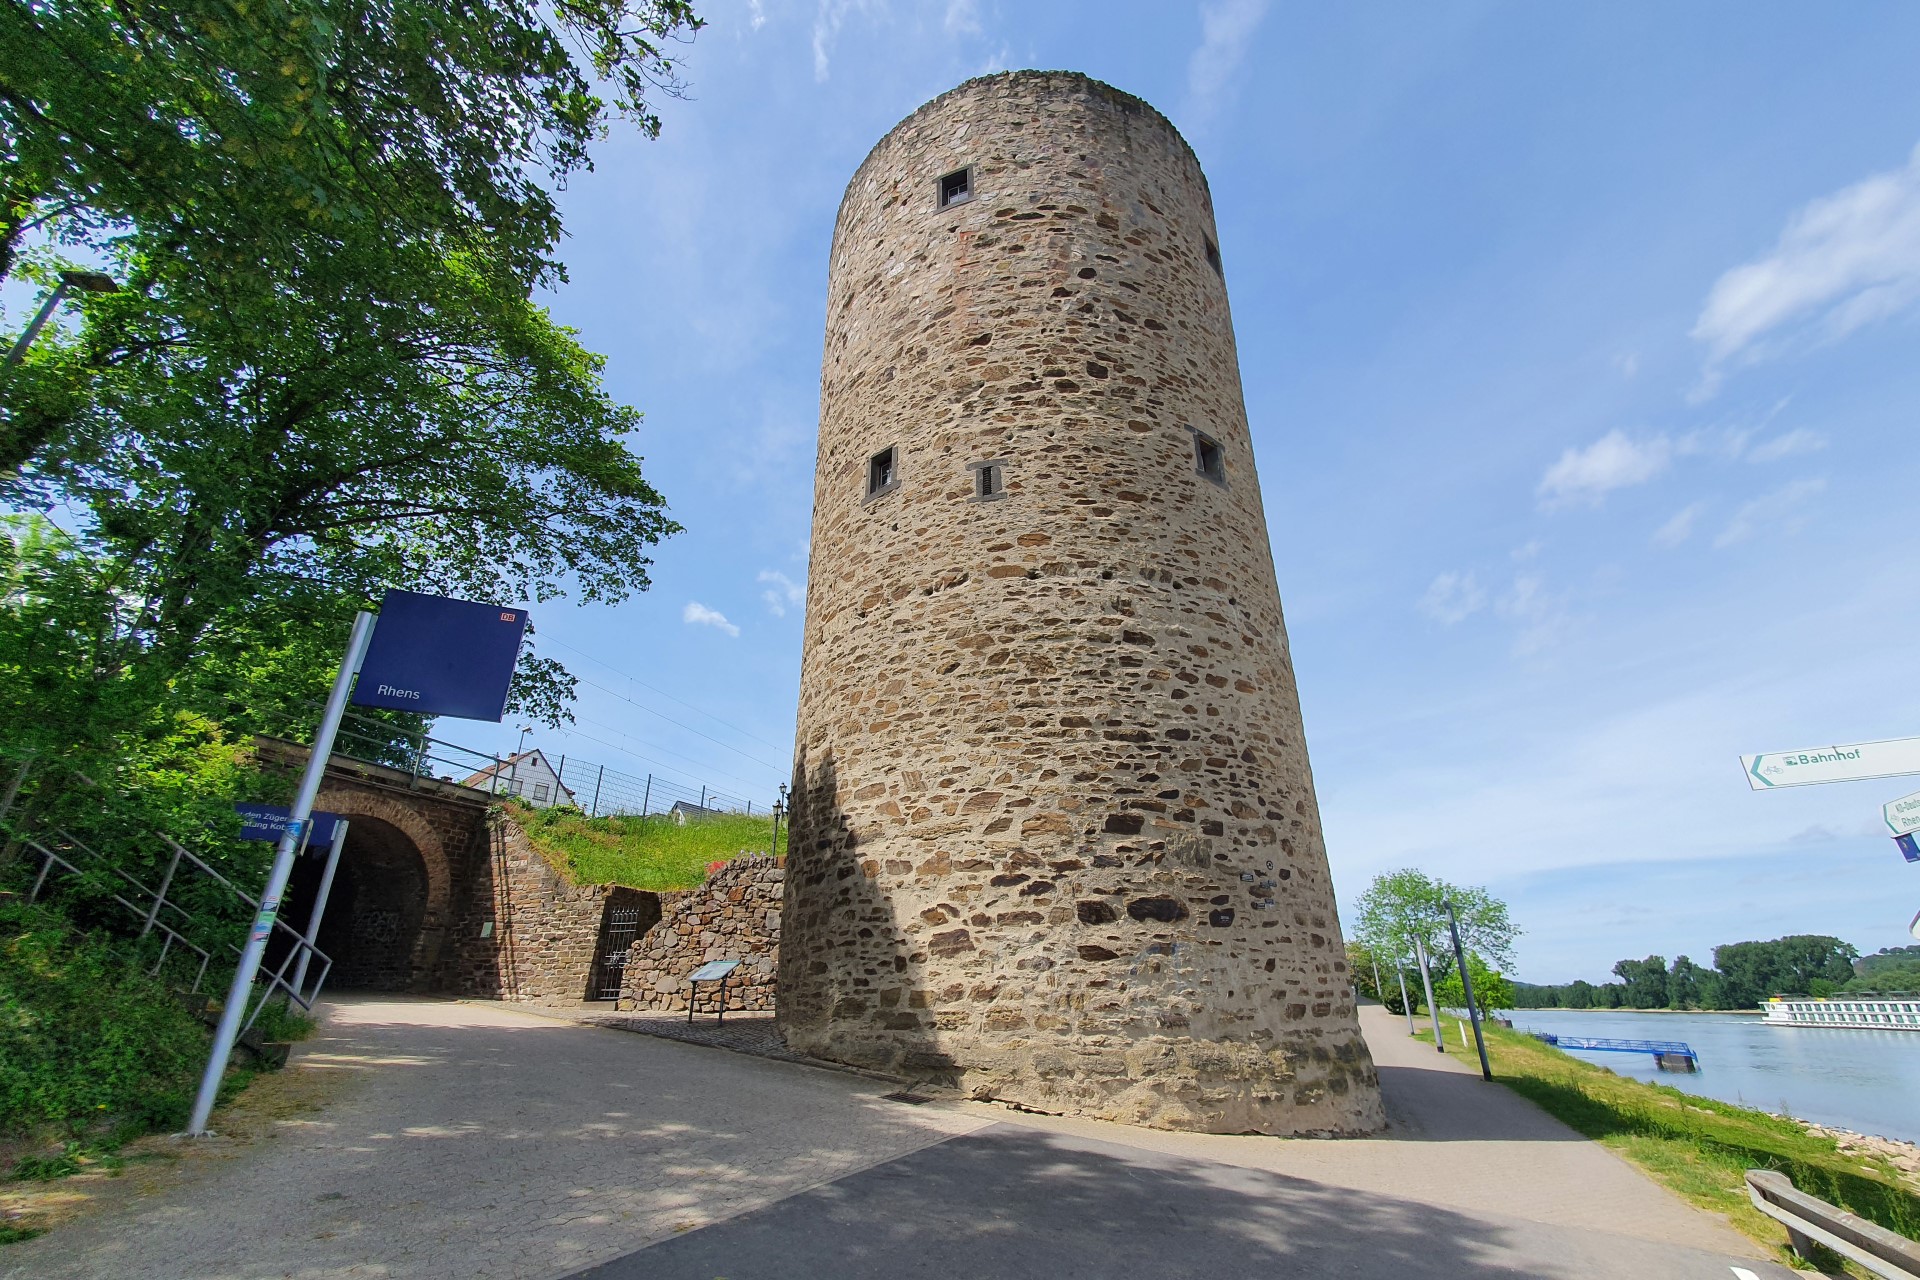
{"points": [[1842, 262]]}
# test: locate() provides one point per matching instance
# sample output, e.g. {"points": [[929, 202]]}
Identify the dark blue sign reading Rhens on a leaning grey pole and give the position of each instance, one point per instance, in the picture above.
{"points": [[441, 657]]}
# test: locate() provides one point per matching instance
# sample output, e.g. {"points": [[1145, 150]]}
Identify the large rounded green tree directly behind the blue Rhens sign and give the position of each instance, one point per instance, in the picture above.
{"points": [[289, 462]]}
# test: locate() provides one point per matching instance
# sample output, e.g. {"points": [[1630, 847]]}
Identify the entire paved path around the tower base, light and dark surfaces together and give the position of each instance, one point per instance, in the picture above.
{"points": [[479, 1141]]}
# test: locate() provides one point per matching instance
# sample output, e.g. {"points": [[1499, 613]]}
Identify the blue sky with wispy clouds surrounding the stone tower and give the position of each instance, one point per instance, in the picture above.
{"points": [[1581, 354]]}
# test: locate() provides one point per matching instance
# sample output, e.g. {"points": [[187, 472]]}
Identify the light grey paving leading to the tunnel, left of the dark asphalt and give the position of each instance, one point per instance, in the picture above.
{"points": [[450, 1139]]}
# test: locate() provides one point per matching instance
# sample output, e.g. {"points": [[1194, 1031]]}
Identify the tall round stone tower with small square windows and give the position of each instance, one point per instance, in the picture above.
{"points": [[1055, 836]]}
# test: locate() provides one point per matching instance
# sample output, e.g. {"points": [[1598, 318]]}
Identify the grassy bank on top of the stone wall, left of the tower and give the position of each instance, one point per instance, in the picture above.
{"points": [[642, 853]]}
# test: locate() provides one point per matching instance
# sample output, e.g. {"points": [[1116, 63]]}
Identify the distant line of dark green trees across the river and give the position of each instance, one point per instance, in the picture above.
{"points": [[1742, 978]]}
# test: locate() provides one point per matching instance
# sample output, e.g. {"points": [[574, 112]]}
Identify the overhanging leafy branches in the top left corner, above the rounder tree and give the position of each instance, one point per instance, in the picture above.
{"points": [[233, 126]]}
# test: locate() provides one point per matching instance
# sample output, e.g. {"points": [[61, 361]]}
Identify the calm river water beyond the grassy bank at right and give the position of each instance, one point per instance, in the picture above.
{"points": [[1867, 1081]]}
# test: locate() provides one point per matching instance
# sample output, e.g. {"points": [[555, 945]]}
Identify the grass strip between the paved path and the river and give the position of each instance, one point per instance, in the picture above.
{"points": [[1696, 1147]]}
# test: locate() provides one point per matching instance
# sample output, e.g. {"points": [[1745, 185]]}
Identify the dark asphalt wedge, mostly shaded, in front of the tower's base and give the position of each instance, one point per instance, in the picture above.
{"points": [[1024, 1204]]}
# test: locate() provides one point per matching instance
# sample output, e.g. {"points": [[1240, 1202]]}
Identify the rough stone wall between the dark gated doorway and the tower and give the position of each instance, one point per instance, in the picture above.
{"points": [[732, 916]]}
